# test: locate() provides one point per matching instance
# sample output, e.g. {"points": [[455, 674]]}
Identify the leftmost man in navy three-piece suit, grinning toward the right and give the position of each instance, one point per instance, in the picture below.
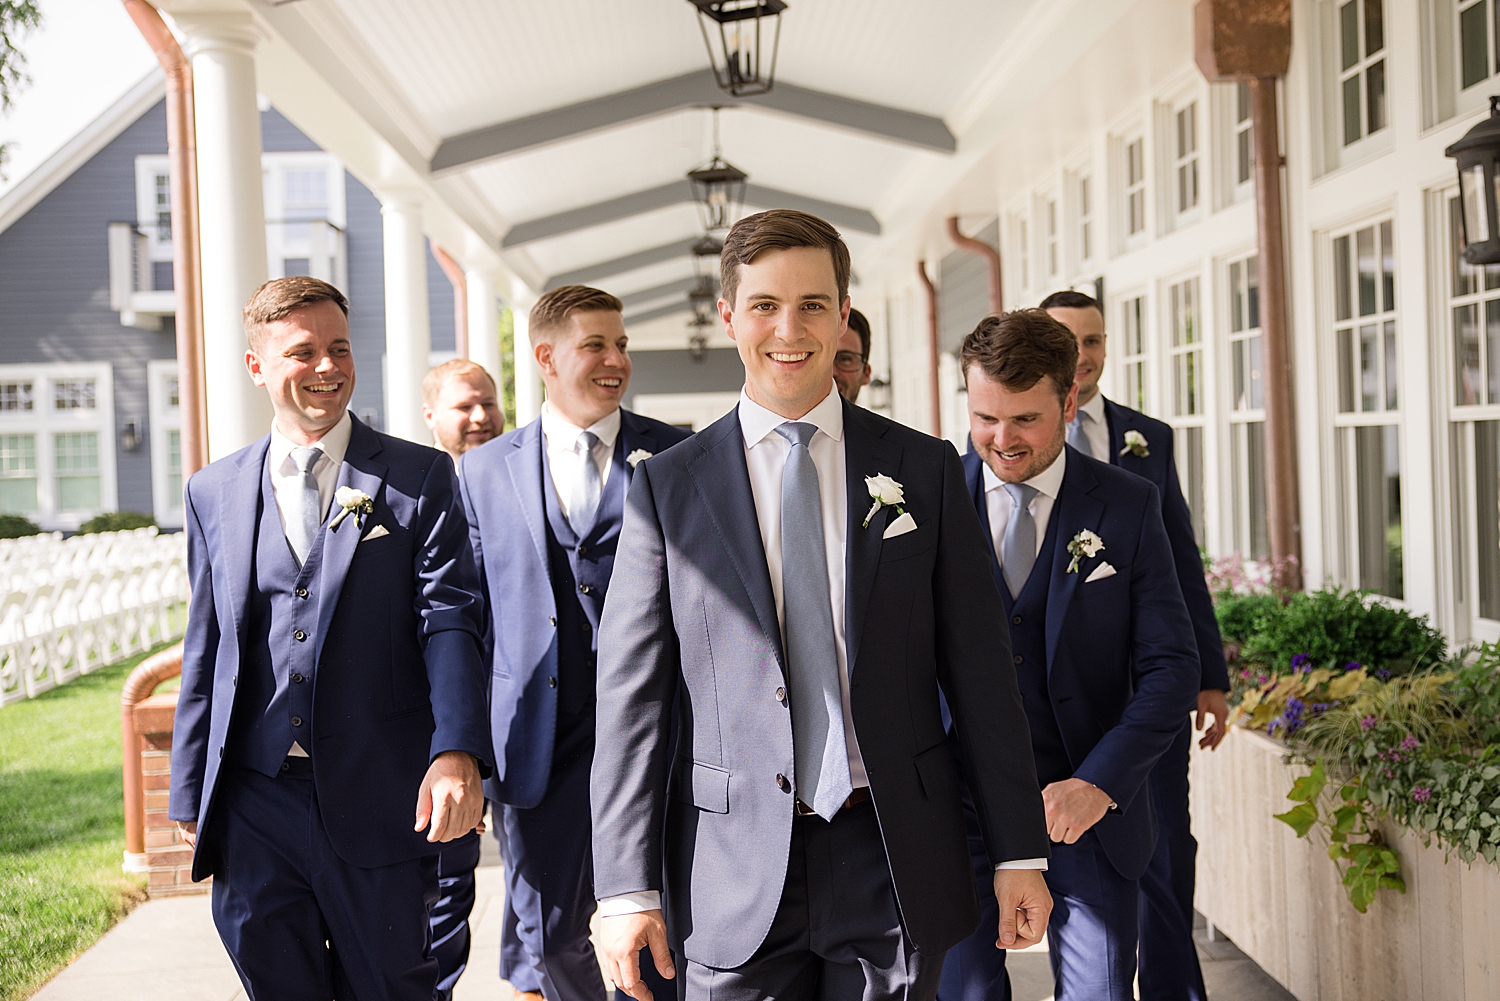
{"points": [[331, 730]]}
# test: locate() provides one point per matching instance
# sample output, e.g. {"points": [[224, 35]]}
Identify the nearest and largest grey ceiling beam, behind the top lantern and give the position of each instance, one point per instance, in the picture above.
{"points": [[691, 91]]}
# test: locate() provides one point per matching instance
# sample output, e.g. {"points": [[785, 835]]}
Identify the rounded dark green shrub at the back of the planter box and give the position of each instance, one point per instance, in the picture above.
{"points": [[1336, 628]]}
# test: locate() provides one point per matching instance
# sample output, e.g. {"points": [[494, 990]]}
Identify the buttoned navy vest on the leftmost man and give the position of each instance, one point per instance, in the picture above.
{"points": [[274, 705]]}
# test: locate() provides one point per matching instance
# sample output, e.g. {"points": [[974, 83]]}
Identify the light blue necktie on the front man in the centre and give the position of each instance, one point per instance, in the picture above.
{"points": [[818, 739]]}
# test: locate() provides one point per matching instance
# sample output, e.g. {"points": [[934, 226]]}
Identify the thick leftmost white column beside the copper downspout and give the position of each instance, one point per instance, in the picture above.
{"points": [[232, 217]]}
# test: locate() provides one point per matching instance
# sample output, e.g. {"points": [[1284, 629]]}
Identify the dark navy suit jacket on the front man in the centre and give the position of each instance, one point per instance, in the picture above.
{"points": [[691, 624]]}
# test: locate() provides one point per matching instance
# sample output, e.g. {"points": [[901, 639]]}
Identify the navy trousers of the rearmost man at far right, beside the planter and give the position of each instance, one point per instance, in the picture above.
{"points": [[1169, 961]]}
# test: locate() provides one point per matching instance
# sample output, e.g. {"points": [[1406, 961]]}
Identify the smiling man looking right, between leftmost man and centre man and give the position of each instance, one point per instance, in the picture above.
{"points": [[545, 505]]}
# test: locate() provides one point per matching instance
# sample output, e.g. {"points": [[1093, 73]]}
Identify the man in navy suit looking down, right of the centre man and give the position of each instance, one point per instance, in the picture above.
{"points": [[1103, 649]]}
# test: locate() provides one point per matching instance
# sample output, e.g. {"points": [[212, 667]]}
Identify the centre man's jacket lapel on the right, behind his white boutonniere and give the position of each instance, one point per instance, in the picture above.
{"points": [[866, 454]]}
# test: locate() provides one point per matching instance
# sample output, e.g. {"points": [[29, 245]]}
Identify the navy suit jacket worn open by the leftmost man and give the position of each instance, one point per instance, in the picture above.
{"points": [[400, 678]]}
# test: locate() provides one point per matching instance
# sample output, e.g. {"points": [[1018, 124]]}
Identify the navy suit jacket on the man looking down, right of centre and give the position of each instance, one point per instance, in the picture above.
{"points": [[1123, 672]]}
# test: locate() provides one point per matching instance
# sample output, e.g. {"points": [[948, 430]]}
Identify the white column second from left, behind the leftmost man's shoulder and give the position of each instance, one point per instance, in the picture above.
{"points": [[409, 335]]}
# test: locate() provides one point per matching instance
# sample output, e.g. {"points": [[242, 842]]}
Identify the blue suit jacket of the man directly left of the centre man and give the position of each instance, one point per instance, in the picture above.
{"points": [[503, 494]]}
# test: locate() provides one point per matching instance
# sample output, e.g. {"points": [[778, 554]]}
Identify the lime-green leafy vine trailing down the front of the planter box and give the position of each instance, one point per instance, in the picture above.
{"points": [[1352, 835]]}
